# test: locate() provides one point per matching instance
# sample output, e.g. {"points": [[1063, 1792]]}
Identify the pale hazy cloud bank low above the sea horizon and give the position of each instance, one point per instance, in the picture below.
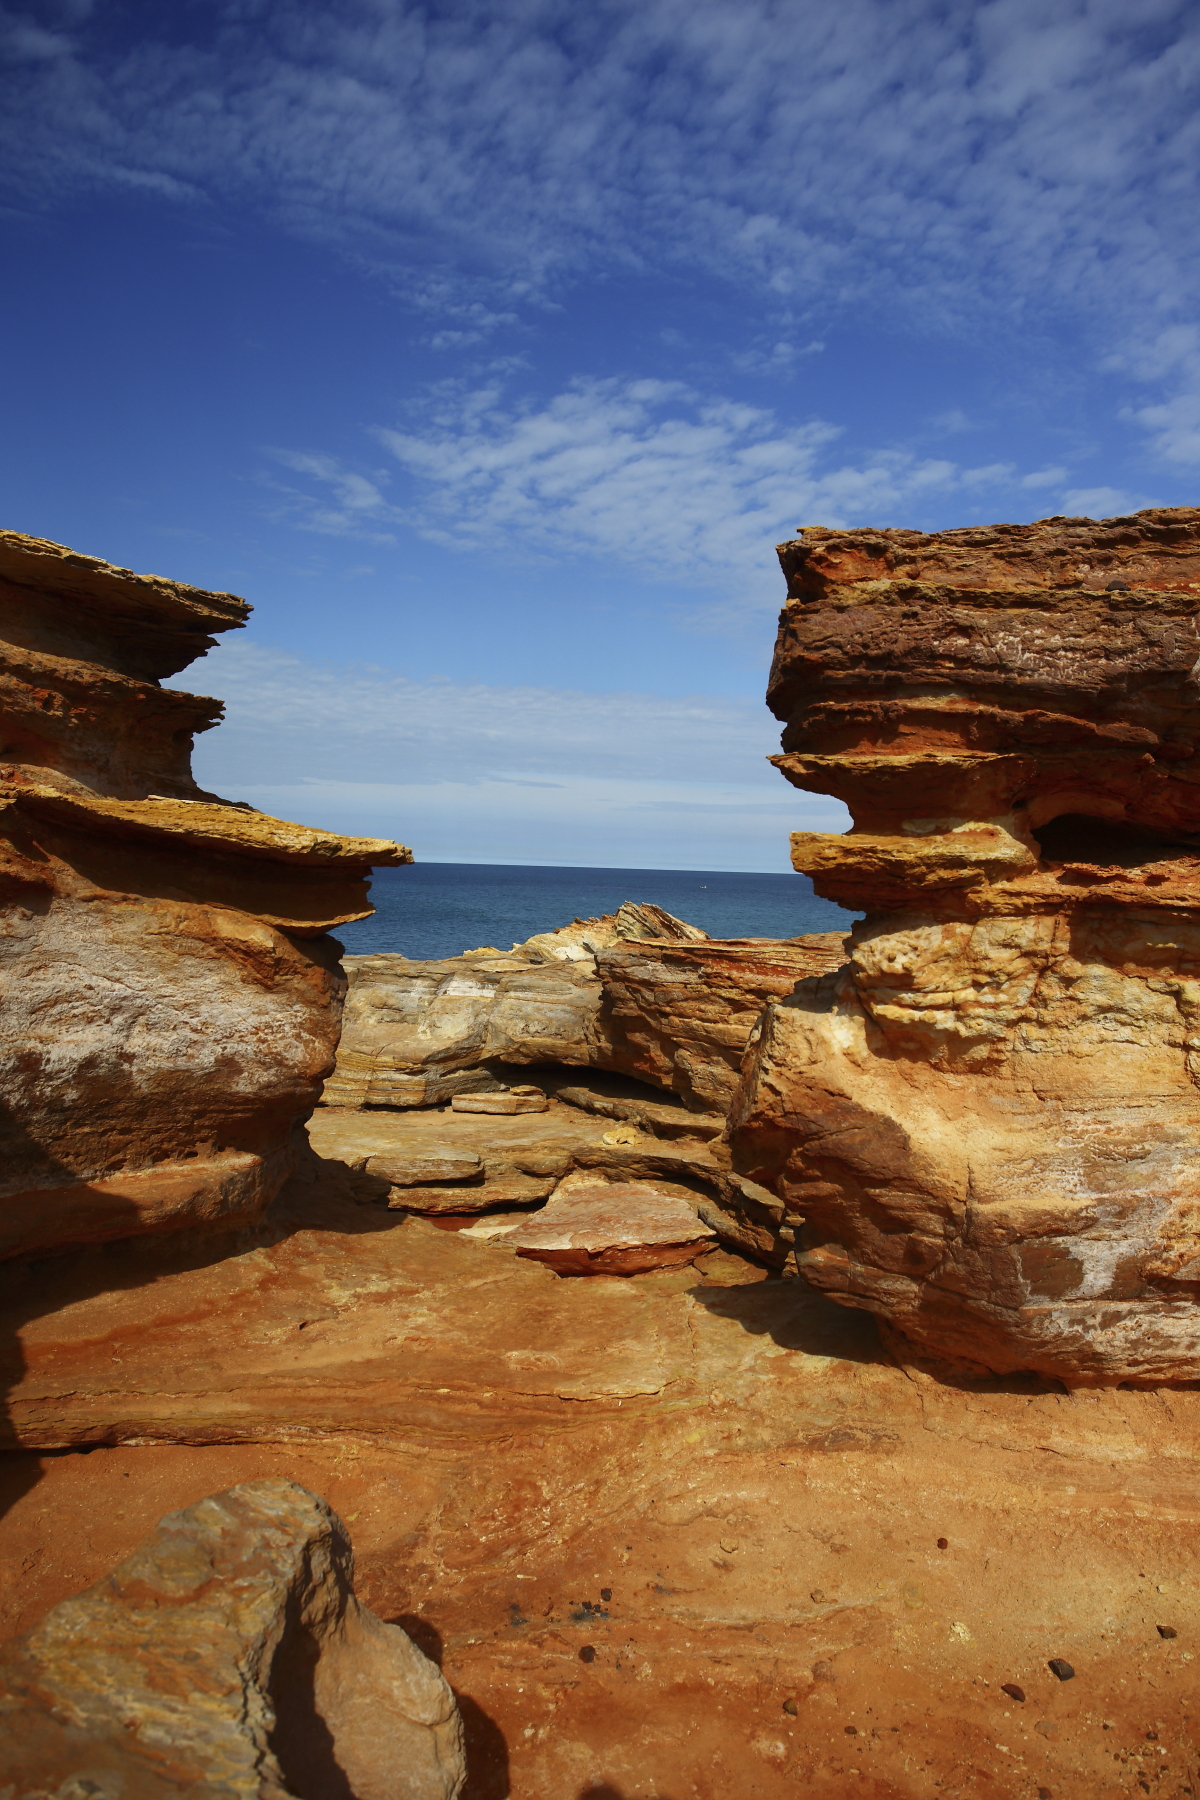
{"points": [[503, 775]]}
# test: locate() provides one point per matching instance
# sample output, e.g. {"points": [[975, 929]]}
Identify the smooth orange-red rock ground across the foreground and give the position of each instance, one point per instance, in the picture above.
{"points": [[683, 1534]]}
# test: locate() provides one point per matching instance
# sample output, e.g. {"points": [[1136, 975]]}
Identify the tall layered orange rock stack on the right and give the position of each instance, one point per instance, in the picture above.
{"points": [[989, 1119]]}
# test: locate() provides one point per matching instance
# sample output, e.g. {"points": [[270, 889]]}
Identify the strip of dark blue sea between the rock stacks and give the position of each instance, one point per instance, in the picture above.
{"points": [[445, 908]]}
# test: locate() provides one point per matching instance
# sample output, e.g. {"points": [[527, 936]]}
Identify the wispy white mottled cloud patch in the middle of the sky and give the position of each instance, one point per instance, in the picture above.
{"points": [[677, 485]]}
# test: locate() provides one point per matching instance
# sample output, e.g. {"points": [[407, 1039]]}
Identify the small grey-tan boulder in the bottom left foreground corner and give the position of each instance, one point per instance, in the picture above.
{"points": [[228, 1655]]}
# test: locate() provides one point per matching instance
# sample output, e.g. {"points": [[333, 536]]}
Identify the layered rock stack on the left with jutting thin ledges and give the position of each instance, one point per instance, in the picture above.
{"points": [[170, 994]]}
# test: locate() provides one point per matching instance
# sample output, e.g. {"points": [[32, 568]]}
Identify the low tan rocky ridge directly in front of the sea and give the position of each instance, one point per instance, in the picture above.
{"points": [[674, 1011]]}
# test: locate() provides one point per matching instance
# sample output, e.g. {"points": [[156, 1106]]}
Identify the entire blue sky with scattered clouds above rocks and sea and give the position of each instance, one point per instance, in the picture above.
{"points": [[490, 348]]}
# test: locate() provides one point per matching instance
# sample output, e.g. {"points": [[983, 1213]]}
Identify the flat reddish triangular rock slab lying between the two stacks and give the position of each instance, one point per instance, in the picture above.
{"points": [[613, 1228]]}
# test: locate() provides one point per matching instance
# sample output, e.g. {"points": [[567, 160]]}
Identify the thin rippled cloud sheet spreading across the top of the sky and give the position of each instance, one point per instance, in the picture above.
{"points": [[962, 154]]}
